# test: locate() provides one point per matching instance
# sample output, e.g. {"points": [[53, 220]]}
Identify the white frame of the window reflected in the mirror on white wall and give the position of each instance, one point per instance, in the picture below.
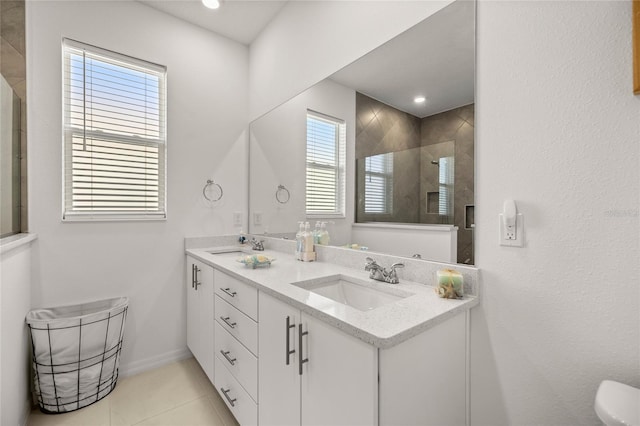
{"points": [[340, 156]]}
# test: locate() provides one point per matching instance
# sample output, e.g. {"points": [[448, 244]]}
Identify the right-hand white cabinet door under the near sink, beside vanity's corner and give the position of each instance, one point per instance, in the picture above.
{"points": [[339, 383]]}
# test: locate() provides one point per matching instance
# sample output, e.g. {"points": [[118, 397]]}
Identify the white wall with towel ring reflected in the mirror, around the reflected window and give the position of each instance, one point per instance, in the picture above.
{"points": [[278, 157]]}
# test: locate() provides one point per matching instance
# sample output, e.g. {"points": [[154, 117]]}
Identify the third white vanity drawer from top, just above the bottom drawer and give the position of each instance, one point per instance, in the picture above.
{"points": [[238, 360]]}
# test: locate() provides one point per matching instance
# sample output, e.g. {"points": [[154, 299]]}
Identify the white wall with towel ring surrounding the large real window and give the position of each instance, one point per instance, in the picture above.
{"points": [[207, 117]]}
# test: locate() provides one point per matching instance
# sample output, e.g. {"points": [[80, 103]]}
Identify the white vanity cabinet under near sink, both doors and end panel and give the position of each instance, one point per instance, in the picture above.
{"points": [[345, 381]]}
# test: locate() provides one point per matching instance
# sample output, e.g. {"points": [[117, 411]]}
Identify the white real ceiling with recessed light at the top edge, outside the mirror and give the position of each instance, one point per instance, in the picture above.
{"points": [[238, 20]]}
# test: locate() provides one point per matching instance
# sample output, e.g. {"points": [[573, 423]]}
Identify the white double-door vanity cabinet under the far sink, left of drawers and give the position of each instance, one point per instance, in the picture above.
{"points": [[200, 312]]}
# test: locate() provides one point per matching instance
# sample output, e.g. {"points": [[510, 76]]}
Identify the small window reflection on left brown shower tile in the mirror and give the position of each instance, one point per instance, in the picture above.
{"points": [[378, 184]]}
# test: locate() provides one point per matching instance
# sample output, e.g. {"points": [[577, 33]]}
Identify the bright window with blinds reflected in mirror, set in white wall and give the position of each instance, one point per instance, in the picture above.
{"points": [[325, 165]]}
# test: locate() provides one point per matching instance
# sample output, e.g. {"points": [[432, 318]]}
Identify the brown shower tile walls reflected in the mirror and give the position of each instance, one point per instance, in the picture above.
{"points": [[381, 128]]}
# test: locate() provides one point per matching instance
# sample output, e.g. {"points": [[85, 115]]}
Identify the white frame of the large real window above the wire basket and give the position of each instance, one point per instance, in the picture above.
{"points": [[71, 215]]}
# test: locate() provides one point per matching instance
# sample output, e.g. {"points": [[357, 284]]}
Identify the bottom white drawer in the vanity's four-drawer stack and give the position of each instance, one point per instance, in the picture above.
{"points": [[244, 409]]}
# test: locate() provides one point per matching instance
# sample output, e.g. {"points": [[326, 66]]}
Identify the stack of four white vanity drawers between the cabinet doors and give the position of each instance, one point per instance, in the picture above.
{"points": [[236, 346]]}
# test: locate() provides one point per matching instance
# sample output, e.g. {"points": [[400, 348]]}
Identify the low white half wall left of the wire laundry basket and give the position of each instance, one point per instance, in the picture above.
{"points": [[15, 302]]}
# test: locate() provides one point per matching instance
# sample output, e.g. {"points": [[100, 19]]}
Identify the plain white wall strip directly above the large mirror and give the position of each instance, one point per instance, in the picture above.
{"points": [[310, 40]]}
